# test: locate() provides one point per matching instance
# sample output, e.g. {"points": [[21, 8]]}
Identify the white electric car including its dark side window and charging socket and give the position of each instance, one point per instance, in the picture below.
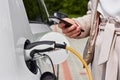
{"points": [[18, 28]]}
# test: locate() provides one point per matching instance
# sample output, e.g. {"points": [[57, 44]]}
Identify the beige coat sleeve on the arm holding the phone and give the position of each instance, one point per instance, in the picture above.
{"points": [[84, 22]]}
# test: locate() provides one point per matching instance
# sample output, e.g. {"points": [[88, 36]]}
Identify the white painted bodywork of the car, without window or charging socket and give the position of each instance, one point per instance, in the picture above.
{"points": [[15, 29]]}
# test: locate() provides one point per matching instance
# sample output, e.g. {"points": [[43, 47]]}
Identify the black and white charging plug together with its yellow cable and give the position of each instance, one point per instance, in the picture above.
{"points": [[33, 48]]}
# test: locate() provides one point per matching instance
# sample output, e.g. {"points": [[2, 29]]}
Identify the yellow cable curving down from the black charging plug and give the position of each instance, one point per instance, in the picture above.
{"points": [[82, 60]]}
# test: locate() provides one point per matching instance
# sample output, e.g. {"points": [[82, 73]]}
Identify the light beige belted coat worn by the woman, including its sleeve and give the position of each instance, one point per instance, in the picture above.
{"points": [[106, 62]]}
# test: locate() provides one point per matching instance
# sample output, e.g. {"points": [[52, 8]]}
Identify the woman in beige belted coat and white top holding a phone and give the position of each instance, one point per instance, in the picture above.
{"points": [[102, 24]]}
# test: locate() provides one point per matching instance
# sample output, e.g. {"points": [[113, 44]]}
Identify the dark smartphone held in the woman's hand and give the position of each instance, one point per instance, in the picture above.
{"points": [[59, 20]]}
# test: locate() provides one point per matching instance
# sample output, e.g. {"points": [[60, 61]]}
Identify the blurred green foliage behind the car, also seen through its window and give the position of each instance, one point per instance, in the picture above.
{"points": [[73, 8]]}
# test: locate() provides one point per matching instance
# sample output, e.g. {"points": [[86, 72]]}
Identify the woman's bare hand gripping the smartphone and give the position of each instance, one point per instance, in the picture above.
{"points": [[72, 31]]}
